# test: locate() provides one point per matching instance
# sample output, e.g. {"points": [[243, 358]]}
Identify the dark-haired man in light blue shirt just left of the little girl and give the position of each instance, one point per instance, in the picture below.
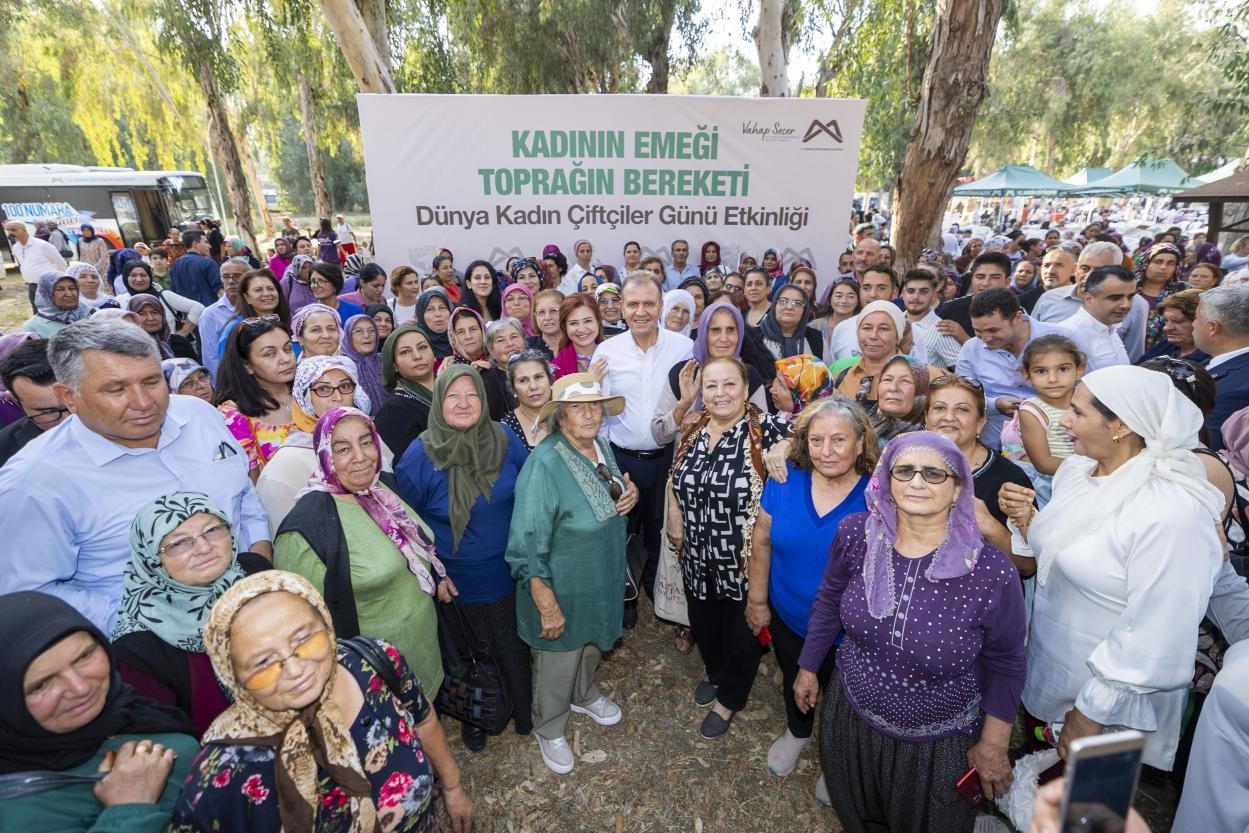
{"points": [[994, 355]]}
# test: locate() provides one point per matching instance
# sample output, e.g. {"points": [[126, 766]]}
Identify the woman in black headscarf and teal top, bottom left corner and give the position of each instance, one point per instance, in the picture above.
{"points": [[66, 716]]}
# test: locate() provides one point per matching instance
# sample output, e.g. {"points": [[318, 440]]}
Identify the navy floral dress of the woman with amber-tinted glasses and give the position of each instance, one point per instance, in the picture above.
{"points": [[234, 787]]}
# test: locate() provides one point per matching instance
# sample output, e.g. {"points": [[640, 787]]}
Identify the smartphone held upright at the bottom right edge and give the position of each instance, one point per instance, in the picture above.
{"points": [[1102, 775]]}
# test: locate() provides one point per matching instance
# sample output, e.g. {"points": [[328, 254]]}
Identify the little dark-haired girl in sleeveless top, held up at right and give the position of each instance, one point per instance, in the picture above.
{"points": [[1052, 365]]}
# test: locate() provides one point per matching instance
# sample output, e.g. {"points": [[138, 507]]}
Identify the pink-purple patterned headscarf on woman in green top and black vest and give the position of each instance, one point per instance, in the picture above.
{"points": [[382, 505]]}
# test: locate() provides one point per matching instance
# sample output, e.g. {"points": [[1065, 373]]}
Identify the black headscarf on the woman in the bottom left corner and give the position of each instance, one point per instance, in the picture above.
{"points": [[31, 624]]}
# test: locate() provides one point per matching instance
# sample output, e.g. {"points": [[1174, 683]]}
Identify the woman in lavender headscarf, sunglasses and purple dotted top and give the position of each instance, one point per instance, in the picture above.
{"points": [[932, 665]]}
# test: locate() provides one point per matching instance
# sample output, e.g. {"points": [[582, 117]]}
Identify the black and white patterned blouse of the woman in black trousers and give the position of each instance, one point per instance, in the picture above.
{"points": [[719, 505]]}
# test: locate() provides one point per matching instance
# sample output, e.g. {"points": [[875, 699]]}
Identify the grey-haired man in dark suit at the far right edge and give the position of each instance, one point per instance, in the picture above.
{"points": [[1222, 330]]}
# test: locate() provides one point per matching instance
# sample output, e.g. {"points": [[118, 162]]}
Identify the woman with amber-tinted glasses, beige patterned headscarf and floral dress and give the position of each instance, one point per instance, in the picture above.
{"points": [[317, 739]]}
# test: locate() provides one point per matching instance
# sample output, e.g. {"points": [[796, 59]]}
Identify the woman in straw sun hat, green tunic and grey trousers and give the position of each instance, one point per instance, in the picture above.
{"points": [[569, 533]]}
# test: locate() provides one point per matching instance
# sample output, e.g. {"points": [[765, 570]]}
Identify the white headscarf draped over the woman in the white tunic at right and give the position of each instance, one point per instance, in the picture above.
{"points": [[1168, 423]]}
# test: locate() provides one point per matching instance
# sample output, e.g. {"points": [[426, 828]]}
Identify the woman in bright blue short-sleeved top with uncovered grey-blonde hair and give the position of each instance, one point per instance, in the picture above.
{"points": [[832, 453]]}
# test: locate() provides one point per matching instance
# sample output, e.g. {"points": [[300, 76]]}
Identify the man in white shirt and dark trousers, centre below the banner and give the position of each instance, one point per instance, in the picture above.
{"points": [[638, 369]]}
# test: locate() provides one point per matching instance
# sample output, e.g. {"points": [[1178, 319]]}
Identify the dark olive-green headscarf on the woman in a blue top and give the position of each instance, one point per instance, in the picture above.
{"points": [[473, 458]]}
